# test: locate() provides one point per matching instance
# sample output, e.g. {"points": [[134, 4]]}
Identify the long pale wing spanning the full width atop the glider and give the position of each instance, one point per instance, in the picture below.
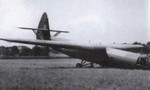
{"points": [[59, 44]]}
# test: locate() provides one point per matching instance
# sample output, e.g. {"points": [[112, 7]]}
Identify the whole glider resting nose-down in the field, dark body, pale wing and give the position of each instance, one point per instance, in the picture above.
{"points": [[111, 55]]}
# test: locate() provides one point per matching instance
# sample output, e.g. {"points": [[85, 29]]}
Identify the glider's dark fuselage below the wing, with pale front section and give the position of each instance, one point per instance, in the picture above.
{"points": [[101, 57]]}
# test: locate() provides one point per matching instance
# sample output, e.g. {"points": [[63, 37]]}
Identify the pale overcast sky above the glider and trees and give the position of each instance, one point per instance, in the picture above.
{"points": [[101, 21]]}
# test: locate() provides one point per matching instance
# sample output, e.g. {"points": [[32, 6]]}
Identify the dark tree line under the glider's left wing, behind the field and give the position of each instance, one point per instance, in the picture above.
{"points": [[24, 51]]}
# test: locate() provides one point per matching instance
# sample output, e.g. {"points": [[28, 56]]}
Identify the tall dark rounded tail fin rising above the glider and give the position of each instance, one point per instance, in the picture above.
{"points": [[43, 24]]}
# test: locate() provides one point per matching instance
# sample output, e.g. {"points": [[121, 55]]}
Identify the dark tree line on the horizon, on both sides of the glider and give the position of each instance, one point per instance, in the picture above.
{"points": [[44, 51]]}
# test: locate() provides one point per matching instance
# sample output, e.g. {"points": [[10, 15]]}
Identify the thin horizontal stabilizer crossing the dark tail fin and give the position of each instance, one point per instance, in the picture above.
{"points": [[42, 29]]}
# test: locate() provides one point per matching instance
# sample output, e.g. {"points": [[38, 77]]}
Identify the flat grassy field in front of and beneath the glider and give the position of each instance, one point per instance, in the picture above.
{"points": [[60, 74]]}
